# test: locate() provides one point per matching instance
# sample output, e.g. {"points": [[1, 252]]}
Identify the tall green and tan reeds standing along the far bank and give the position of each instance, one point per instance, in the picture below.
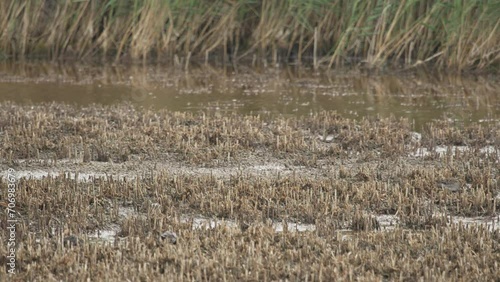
{"points": [[458, 35]]}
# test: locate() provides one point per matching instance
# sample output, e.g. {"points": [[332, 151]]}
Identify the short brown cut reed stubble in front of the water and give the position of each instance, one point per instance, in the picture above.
{"points": [[340, 186]]}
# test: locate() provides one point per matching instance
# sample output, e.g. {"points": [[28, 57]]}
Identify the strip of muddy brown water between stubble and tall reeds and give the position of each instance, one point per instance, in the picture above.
{"points": [[419, 96]]}
